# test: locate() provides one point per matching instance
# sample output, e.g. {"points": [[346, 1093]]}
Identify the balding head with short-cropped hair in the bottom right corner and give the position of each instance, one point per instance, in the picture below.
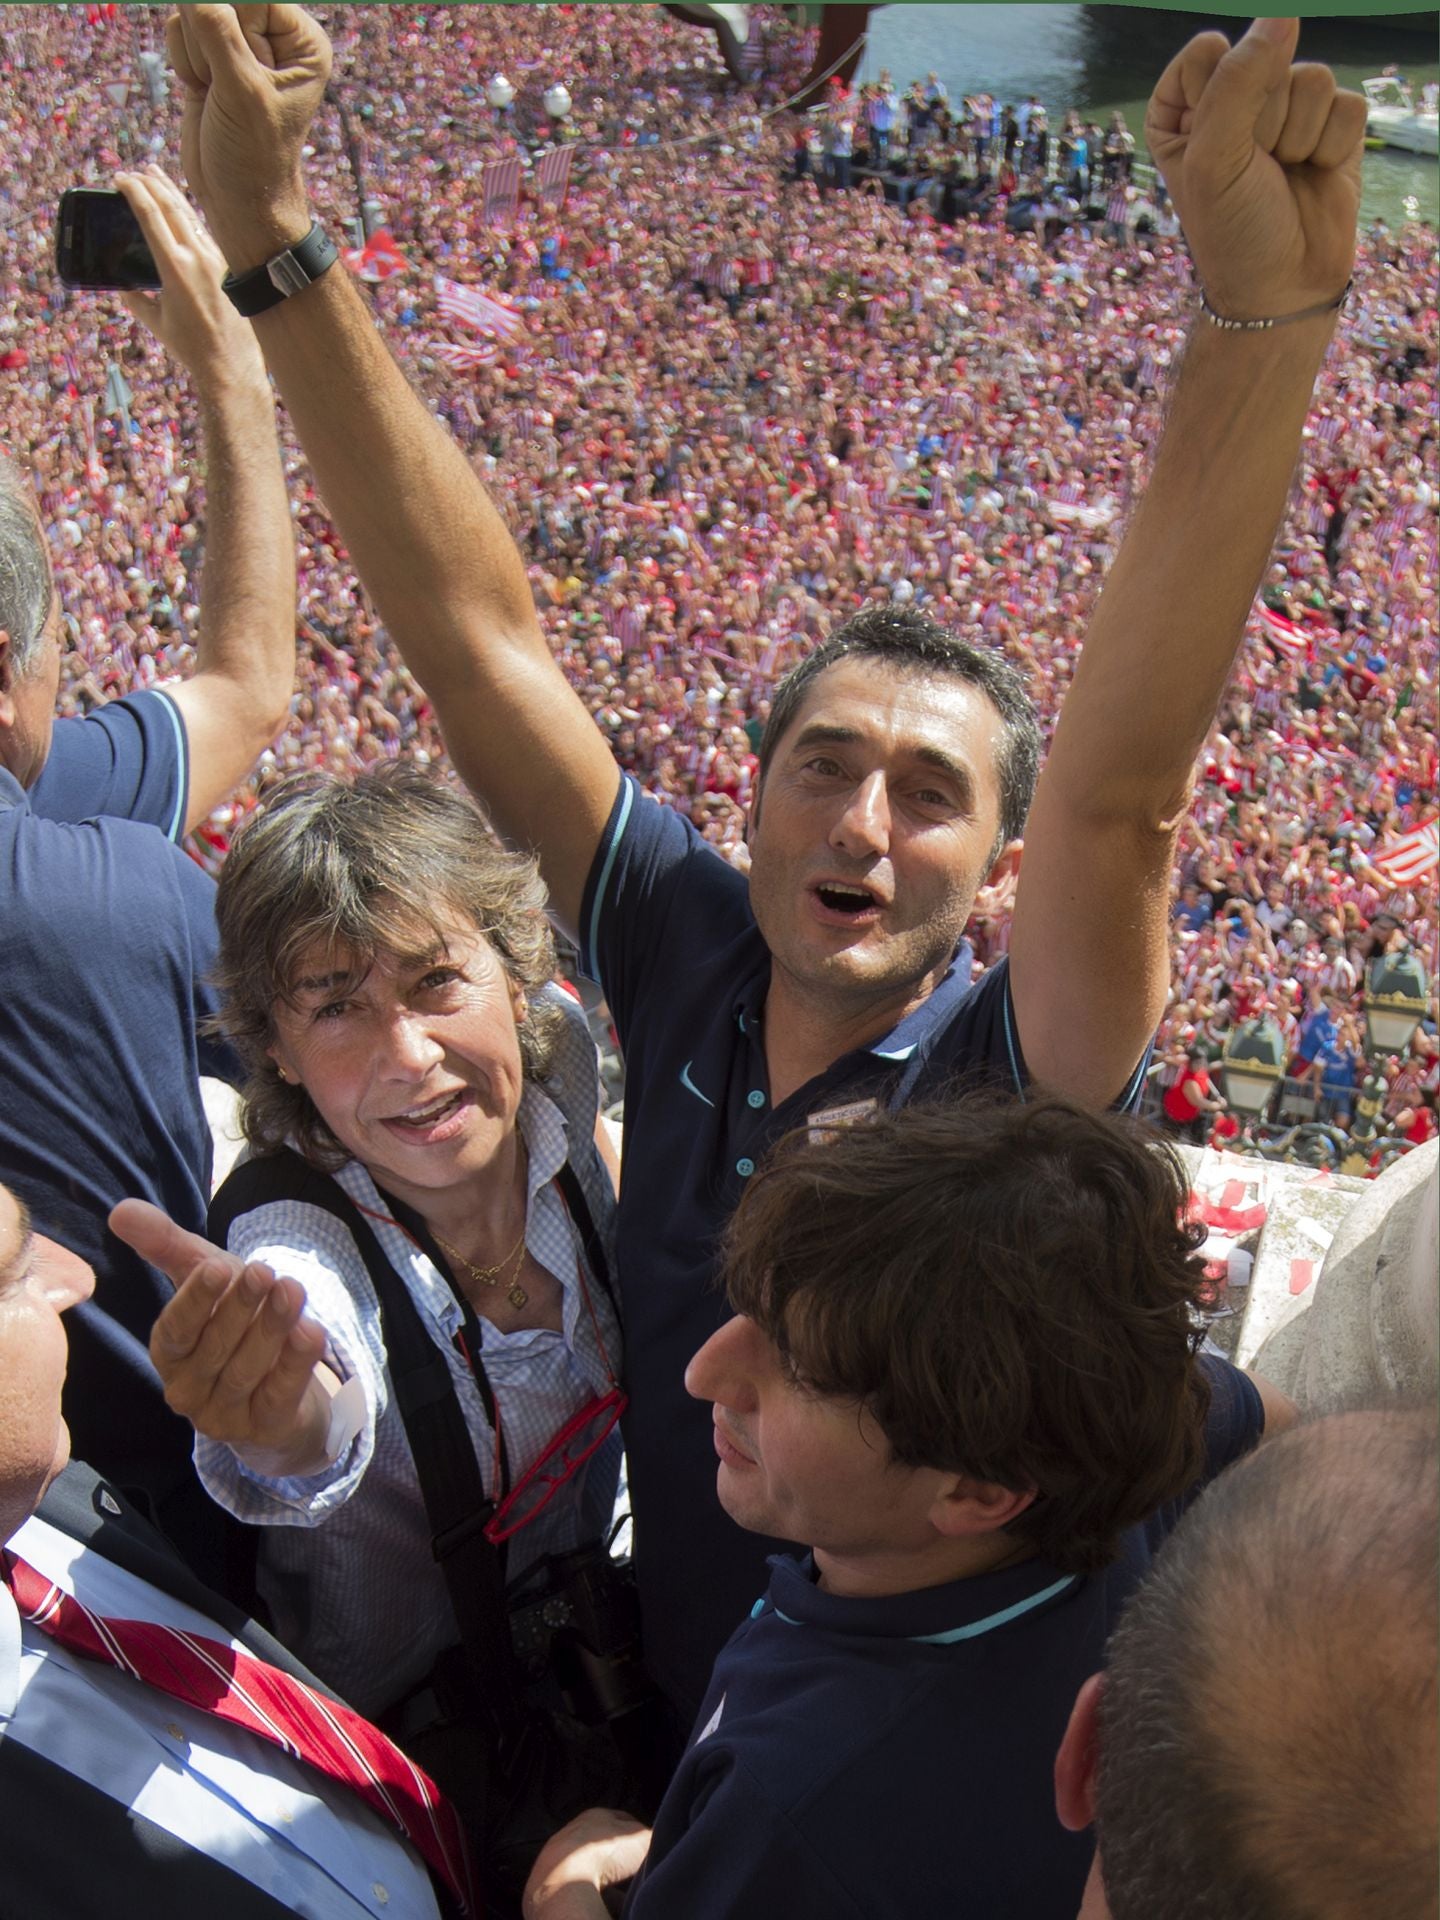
{"points": [[1268, 1731]]}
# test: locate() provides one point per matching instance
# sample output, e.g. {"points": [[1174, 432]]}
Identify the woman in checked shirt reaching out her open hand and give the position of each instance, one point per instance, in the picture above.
{"points": [[421, 1120]]}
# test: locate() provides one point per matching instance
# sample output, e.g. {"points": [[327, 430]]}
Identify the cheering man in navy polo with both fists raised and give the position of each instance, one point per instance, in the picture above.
{"points": [[896, 773]]}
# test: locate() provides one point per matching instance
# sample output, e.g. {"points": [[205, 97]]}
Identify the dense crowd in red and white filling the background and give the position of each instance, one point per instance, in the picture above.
{"points": [[738, 410]]}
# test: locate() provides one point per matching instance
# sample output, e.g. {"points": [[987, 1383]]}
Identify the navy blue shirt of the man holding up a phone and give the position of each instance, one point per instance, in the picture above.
{"points": [[107, 944]]}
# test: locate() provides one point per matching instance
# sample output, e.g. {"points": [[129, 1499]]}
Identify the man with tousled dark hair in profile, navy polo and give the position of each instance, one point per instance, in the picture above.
{"points": [[965, 1368]]}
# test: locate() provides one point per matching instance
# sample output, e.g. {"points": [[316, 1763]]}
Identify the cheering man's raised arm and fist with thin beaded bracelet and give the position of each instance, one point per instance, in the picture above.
{"points": [[1262, 158]]}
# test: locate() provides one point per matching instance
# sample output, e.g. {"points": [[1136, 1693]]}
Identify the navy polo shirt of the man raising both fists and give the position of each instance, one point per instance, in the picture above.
{"points": [[667, 930]]}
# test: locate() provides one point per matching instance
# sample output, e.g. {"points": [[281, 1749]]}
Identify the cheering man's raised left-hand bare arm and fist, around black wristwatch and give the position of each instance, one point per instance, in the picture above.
{"points": [[423, 535]]}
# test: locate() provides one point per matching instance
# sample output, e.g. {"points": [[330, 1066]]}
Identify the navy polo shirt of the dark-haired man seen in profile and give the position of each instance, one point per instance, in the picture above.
{"points": [[894, 1758]]}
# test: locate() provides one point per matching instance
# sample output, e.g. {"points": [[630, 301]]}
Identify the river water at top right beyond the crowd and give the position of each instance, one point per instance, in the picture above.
{"points": [[1109, 57]]}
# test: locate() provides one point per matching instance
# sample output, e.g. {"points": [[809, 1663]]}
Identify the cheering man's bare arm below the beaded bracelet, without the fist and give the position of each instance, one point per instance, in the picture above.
{"points": [[1090, 953]]}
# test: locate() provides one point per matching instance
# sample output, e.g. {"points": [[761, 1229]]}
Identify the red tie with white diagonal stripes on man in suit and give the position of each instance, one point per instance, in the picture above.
{"points": [[249, 1692]]}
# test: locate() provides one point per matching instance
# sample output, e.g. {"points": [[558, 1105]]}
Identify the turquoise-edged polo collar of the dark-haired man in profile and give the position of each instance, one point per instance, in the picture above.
{"points": [[944, 1616]]}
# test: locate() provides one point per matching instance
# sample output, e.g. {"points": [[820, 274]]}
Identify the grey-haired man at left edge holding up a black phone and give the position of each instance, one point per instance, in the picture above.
{"points": [[107, 926]]}
